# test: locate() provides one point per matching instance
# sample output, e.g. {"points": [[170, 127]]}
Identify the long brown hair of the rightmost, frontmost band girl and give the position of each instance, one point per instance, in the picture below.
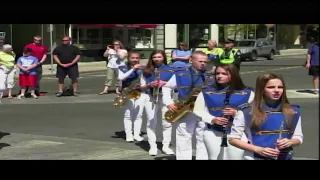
{"points": [[258, 114]]}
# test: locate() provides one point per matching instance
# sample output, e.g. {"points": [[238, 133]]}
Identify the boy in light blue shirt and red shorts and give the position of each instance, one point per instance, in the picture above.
{"points": [[28, 73]]}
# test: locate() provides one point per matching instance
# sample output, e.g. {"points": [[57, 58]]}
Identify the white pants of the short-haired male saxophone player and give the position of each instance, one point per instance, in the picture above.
{"points": [[187, 126]]}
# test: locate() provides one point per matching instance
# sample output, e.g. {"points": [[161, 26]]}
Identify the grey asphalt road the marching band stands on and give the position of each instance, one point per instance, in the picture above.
{"points": [[89, 127]]}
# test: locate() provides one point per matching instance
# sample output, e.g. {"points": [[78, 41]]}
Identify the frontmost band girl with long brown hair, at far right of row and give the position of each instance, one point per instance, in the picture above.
{"points": [[271, 123]]}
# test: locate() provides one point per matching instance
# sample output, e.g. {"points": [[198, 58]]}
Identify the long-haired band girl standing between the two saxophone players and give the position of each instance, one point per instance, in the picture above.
{"points": [[153, 102]]}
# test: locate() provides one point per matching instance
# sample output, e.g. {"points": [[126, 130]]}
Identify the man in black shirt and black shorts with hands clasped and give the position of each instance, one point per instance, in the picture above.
{"points": [[67, 57]]}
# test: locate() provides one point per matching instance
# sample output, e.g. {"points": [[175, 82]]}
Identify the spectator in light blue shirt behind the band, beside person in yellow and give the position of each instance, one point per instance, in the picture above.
{"points": [[181, 56]]}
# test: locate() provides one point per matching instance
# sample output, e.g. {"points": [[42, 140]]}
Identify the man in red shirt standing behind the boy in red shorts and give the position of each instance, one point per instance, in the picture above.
{"points": [[40, 52]]}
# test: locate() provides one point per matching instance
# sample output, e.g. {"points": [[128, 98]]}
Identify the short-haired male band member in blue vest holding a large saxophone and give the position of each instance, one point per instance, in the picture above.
{"points": [[185, 80]]}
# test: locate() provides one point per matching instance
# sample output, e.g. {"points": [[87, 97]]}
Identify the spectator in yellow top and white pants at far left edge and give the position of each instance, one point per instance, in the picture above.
{"points": [[7, 60]]}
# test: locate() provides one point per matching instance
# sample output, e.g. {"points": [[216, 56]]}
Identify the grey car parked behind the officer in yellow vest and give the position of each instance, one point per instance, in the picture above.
{"points": [[253, 48]]}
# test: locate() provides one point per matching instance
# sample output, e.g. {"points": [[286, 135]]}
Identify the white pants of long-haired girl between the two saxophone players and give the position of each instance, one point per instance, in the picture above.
{"points": [[152, 112]]}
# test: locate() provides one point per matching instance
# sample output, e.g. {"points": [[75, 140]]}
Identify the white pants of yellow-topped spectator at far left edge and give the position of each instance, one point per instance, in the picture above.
{"points": [[6, 74]]}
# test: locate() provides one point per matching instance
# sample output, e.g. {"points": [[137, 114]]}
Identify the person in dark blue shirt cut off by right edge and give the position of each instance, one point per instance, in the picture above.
{"points": [[313, 64]]}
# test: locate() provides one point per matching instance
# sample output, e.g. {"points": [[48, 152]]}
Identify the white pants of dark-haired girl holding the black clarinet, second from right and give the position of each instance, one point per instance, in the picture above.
{"points": [[212, 141]]}
